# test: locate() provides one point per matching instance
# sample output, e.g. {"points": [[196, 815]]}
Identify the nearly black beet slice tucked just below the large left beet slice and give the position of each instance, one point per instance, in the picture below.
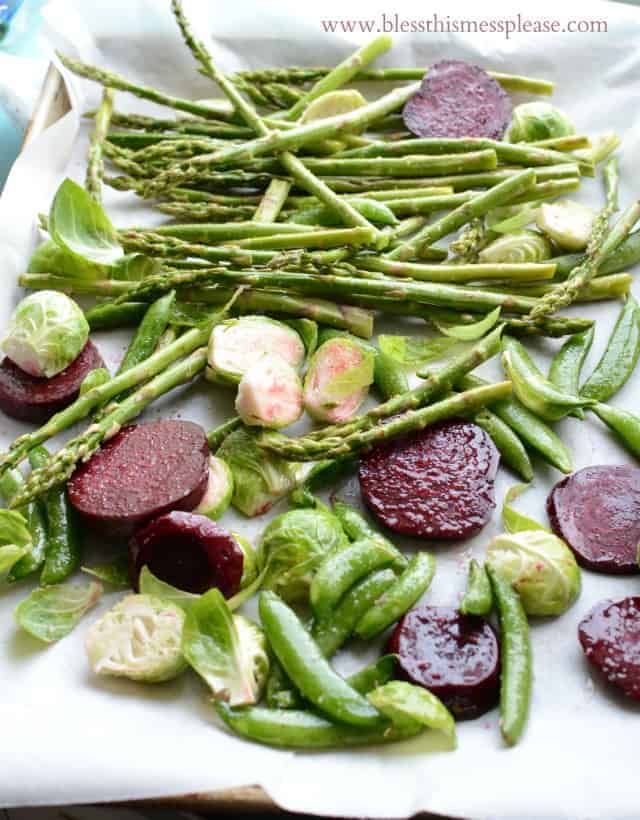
{"points": [[189, 551]]}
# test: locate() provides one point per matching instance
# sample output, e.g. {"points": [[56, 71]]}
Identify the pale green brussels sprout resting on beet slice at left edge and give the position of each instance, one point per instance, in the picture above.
{"points": [[46, 333]]}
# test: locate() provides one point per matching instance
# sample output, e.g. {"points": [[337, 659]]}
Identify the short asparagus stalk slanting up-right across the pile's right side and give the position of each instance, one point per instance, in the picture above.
{"points": [[478, 206]]}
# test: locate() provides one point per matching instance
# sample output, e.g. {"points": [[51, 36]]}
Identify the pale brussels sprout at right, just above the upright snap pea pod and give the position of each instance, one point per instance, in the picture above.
{"points": [[541, 568]]}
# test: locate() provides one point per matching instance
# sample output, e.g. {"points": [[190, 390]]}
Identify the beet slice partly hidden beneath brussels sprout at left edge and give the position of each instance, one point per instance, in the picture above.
{"points": [[29, 398]]}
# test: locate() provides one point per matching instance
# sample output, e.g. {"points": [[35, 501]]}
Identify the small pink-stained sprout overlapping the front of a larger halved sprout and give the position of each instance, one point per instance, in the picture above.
{"points": [[269, 394]]}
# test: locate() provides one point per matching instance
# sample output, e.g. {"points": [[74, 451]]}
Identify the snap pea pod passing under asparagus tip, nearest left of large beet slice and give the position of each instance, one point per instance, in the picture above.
{"points": [[62, 554]]}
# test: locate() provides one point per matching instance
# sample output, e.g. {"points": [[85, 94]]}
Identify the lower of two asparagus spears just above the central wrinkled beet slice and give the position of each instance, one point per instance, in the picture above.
{"points": [[461, 404]]}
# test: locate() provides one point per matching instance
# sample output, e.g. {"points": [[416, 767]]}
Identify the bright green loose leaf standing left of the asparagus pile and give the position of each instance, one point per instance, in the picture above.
{"points": [[79, 224]]}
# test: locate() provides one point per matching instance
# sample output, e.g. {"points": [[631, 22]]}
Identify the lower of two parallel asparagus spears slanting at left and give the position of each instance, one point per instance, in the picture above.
{"points": [[62, 464]]}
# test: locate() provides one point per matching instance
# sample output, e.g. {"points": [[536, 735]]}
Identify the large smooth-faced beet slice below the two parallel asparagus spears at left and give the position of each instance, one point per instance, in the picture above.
{"points": [[143, 471]]}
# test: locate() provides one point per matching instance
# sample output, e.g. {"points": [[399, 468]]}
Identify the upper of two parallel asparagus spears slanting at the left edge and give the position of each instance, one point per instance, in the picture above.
{"points": [[101, 394]]}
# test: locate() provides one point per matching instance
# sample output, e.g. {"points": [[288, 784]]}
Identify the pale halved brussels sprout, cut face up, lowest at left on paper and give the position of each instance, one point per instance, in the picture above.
{"points": [[140, 639]]}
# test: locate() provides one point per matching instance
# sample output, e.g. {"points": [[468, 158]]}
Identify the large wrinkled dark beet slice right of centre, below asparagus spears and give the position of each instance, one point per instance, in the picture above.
{"points": [[437, 483]]}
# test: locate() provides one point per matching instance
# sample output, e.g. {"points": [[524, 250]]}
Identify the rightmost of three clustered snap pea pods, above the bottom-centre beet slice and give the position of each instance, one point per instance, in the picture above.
{"points": [[399, 597]]}
